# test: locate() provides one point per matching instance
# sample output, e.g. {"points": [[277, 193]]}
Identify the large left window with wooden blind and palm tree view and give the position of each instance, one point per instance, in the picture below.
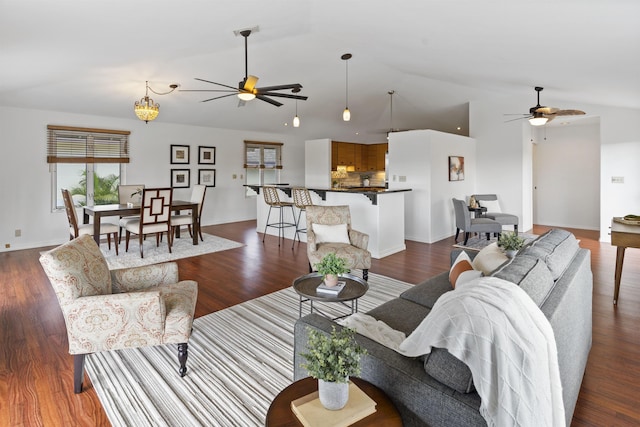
{"points": [[87, 162]]}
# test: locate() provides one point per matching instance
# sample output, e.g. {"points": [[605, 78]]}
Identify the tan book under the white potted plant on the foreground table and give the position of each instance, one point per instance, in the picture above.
{"points": [[311, 413]]}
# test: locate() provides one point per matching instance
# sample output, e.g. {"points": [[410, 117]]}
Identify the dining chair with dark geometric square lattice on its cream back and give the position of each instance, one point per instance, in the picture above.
{"points": [[155, 217]]}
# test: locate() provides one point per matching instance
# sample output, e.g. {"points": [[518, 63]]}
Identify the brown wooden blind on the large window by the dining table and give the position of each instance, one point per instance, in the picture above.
{"points": [[85, 145]]}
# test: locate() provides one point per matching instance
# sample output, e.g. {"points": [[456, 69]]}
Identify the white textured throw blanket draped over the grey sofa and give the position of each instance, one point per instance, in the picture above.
{"points": [[498, 331]]}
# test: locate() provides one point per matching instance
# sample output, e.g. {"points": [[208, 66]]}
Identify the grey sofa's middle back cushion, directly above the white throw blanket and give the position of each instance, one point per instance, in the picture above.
{"points": [[531, 274]]}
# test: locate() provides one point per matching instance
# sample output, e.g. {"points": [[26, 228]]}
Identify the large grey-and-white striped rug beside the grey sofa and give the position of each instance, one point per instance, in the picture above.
{"points": [[240, 358]]}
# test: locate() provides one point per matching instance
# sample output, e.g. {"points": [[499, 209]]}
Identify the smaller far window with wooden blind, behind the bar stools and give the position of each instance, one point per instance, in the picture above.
{"points": [[263, 162]]}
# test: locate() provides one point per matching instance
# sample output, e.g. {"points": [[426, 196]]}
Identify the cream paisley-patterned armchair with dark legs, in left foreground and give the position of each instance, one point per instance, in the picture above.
{"points": [[111, 310]]}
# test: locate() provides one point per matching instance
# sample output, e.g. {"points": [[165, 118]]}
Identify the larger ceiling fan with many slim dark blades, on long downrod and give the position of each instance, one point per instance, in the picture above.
{"points": [[247, 89]]}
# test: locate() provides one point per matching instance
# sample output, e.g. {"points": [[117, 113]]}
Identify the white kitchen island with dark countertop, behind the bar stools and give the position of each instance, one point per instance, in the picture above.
{"points": [[377, 211]]}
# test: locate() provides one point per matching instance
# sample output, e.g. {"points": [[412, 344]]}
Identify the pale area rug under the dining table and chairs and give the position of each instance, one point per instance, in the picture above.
{"points": [[181, 248]]}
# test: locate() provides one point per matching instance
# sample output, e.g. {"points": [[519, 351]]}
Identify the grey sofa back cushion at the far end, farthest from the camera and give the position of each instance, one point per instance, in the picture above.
{"points": [[556, 247]]}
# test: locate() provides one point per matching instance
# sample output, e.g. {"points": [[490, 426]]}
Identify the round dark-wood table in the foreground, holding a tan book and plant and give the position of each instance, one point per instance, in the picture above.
{"points": [[281, 415]]}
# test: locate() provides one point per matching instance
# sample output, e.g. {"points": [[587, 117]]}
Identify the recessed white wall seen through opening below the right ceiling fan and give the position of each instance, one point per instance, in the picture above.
{"points": [[567, 176]]}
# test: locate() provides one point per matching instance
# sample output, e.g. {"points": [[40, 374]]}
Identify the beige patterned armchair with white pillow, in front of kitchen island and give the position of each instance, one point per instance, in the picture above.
{"points": [[329, 230]]}
